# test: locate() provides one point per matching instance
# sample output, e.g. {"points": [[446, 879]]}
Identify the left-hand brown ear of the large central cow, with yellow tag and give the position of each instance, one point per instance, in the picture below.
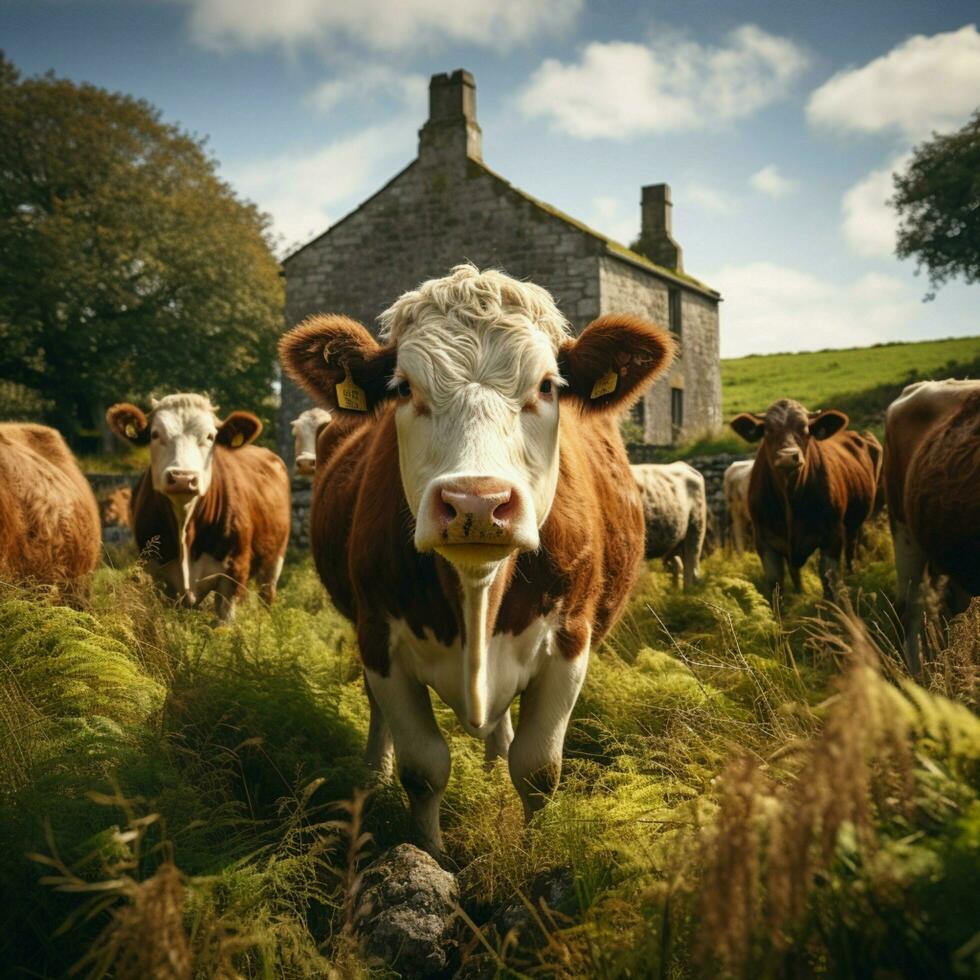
{"points": [[338, 363]]}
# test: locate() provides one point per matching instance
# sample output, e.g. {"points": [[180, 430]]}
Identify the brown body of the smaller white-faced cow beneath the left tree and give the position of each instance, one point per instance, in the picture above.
{"points": [[238, 529]]}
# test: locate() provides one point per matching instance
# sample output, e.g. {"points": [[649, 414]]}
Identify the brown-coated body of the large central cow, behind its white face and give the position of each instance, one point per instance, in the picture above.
{"points": [[361, 536]]}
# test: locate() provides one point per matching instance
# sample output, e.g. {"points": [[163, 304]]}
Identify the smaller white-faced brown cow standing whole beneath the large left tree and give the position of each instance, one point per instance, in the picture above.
{"points": [[211, 510]]}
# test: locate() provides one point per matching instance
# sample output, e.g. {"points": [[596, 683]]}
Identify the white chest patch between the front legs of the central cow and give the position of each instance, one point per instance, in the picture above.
{"points": [[512, 663]]}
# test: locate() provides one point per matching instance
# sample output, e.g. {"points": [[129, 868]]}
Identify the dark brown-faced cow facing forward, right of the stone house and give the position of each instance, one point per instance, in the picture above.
{"points": [[813, 485]]}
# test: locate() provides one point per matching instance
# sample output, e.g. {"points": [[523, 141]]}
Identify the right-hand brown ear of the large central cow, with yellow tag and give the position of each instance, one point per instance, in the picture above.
{"points": [[613, 361]]}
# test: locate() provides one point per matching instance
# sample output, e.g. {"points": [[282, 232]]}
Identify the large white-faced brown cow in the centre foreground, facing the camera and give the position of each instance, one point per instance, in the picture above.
{"points": [[480, 539]]}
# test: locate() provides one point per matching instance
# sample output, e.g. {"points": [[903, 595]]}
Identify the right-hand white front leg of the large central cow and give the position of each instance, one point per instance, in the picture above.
{"points": [[546, 706]]}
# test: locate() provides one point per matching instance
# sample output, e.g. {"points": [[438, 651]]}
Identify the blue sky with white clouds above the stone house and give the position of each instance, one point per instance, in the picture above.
{"points": [[777, 126]]}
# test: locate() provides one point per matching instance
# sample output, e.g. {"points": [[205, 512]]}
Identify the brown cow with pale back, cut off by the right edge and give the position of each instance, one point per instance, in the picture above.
{"points": [[932, 485]]}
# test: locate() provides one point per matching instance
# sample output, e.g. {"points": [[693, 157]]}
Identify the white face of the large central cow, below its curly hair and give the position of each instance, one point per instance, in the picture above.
{"points": [[477, 423]]}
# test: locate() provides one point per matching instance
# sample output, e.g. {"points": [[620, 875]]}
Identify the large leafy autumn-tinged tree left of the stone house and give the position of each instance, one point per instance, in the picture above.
{"points": [[127, 267]]}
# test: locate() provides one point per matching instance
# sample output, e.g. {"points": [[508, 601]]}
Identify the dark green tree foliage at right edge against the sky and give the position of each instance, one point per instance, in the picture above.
{"points": [[938, 203]]}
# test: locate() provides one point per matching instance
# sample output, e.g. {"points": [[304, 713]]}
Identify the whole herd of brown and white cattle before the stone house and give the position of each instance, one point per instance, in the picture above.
{"points": [[480, 541]]}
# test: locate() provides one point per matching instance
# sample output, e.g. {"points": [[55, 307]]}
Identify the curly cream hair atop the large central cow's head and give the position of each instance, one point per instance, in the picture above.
{"points": [[468, 299]]}
